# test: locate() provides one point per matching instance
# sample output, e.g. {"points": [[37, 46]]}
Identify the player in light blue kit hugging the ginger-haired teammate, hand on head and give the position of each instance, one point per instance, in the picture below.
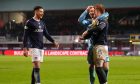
{"points": [[87, 23]]}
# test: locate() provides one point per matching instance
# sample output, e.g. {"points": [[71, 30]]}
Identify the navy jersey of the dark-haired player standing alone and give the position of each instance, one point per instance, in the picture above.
{"points": [[33, 34]]}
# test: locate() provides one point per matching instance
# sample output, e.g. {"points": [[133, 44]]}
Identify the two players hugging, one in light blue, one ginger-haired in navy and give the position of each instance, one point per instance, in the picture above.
{"points": [[97, 30]]}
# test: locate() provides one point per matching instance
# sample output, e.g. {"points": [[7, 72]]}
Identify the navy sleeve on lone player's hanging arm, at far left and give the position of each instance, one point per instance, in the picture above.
{"points": [[26, 35]]}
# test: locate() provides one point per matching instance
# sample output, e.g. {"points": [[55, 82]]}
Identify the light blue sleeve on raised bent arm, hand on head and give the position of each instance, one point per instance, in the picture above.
{"points": [[82, 19]]}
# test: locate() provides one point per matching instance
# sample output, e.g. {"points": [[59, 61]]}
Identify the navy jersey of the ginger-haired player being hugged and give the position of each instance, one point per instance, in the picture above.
{"points": [[101, 33]]}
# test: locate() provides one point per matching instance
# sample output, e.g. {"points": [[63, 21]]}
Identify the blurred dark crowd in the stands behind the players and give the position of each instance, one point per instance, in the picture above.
{"points": [[65, 23]]}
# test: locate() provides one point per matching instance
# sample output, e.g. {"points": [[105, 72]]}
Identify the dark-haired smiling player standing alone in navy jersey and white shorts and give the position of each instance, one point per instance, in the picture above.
{"points": [[34, 30]]}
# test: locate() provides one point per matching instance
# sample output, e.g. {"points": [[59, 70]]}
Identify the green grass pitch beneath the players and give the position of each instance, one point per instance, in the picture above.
{"points": [[67, 70]]}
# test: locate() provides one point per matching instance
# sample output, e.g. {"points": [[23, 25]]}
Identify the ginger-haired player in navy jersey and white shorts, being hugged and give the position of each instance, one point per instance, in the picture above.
{"points": [[98, 32]]}
